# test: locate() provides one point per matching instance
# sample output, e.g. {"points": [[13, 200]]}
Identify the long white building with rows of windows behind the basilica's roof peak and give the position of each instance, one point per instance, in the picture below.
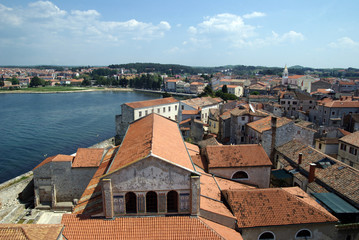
{"points": [[167, 107]]}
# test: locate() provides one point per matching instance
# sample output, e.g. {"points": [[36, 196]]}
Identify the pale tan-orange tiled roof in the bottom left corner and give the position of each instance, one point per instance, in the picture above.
{"points": [[30, 231]]}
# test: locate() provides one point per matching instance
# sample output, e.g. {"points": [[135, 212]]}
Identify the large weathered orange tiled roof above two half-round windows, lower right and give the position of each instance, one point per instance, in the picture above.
{"points": [[272, 207]]}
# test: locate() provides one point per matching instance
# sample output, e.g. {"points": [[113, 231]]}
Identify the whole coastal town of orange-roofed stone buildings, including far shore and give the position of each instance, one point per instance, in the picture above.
{"points": [[265, 155]]}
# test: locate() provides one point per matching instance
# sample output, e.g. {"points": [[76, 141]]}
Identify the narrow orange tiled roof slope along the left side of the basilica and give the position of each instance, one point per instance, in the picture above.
{"points": [[90, 202]]}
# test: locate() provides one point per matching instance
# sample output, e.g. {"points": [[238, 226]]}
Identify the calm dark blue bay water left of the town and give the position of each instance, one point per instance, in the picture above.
{"points": [[33, 126]]}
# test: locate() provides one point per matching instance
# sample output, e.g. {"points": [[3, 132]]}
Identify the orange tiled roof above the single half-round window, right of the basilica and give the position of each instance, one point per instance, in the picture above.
{"points": [[246, 155]]}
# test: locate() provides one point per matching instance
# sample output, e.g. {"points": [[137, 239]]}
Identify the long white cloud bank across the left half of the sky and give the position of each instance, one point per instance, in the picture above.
{"points": [[47, 21]]}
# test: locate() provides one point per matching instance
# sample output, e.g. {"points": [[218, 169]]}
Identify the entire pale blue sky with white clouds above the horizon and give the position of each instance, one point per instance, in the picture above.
{"points": [[318, 34]]}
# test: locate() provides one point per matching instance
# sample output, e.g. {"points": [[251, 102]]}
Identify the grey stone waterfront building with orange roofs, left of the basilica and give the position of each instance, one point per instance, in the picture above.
{"points": [[60, 180]]}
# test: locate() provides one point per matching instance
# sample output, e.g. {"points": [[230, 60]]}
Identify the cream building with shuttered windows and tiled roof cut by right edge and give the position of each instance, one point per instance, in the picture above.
{"points": [[348, 151]]}
